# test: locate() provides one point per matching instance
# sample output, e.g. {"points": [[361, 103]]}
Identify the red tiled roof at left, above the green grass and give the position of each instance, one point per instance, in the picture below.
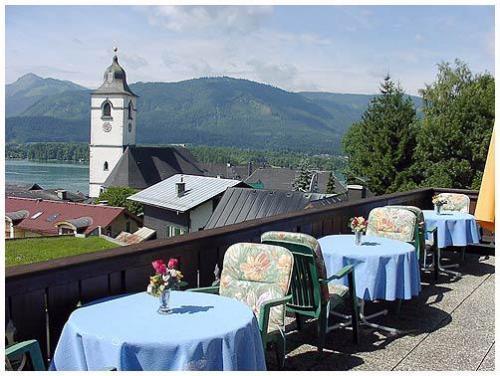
{"points": [[46, 222]]}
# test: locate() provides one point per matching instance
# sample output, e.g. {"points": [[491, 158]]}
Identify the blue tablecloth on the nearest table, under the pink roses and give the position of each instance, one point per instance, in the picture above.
{"points": [[204, 332]]}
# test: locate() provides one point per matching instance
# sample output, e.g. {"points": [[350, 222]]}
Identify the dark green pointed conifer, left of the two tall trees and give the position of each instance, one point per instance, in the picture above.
{"points": [[380, 147]]}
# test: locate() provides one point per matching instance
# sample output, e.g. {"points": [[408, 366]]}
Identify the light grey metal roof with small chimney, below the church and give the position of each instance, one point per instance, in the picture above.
{"points": [[199, 189]]}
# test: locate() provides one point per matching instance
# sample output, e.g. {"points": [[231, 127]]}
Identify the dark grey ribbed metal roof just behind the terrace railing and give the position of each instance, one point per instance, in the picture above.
{"points": [[243, 204]]}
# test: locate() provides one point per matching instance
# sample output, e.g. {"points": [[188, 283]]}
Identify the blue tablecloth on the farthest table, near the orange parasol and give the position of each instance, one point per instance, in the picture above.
{"points": [[453, 228]]}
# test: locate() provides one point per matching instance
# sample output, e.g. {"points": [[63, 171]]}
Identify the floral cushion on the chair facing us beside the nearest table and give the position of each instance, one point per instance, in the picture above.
{"points": [[255, 273]]}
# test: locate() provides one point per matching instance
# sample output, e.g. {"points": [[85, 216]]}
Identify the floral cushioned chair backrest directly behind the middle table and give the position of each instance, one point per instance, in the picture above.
{"points": [[392, 223]]}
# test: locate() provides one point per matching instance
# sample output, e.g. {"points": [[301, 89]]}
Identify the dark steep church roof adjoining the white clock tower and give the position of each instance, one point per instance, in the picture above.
{"points": [[142, 167]]}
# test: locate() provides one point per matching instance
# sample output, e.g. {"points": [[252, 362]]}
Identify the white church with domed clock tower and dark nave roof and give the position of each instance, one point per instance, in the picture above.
{"points": [[115, 160]]}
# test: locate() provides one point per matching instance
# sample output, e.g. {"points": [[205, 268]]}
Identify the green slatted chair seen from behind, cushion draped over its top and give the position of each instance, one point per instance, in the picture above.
{"points": [[312, 294]]}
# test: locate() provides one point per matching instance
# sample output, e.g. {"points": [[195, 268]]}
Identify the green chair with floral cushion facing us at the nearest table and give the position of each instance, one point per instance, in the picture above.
{"points": [[259, 276]]}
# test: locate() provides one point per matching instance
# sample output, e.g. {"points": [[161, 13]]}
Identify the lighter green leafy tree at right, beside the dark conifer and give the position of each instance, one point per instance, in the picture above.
{"points": [[459, 112]]}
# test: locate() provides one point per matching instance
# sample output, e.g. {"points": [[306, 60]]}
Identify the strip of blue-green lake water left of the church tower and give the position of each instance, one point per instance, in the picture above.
{"points": [[50, 175]]}
